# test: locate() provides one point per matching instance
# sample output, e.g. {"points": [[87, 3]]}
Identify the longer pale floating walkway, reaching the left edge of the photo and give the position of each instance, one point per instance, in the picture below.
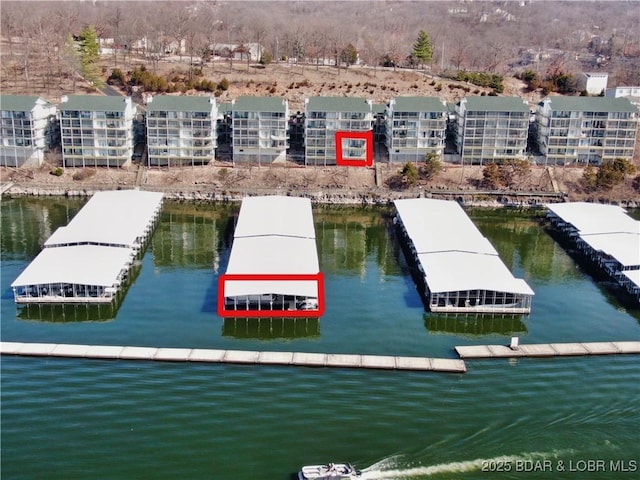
{"points": [[336, 360]]}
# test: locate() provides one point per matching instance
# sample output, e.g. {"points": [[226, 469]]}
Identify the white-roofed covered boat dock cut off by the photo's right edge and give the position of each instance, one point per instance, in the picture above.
{"points": [[606, 235]]}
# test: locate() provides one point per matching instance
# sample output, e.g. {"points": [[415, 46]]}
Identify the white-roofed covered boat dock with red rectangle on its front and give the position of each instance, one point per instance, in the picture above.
{"points": [[273, 265]]}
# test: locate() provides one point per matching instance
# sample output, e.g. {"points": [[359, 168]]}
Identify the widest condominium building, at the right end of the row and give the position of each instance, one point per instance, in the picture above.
{"points": [[586, 130]]}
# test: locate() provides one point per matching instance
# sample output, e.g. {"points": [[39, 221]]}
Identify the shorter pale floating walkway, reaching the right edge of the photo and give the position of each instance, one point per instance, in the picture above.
{"points": [[548, 350]]}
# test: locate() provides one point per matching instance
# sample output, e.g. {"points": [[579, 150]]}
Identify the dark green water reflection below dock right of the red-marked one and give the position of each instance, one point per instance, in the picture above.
{"points": [[474, 325]]}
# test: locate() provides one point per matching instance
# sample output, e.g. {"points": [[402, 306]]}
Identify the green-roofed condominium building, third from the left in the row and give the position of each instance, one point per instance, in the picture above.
{"points": [[181, 130]]}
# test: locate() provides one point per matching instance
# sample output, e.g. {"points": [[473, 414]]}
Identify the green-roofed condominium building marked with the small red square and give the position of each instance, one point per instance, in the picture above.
{"points": [[327, 116]]}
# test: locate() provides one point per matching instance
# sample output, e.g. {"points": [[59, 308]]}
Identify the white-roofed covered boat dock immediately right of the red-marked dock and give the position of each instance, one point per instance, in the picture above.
{"points": [[460, 269]]}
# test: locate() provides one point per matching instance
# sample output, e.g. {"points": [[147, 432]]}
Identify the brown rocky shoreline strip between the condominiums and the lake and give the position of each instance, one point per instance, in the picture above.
{"points": [[323, 186]]}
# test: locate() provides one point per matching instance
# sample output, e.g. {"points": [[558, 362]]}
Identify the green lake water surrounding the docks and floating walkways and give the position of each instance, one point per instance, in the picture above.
{"points": [[537, 418]]}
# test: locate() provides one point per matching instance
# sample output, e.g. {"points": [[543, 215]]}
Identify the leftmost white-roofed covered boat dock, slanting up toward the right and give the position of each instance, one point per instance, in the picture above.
{"points": [[89, 260]]}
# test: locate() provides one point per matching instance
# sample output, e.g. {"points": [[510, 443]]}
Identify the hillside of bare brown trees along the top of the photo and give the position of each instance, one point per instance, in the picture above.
{"points": [[506, 37]]}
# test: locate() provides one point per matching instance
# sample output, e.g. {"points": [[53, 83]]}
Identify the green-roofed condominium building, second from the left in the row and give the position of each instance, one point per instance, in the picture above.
{"points": [[96, 130]]}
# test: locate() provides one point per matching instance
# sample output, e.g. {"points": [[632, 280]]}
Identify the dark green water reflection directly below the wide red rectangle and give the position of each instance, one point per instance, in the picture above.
{"points": [[271, 328]]}
